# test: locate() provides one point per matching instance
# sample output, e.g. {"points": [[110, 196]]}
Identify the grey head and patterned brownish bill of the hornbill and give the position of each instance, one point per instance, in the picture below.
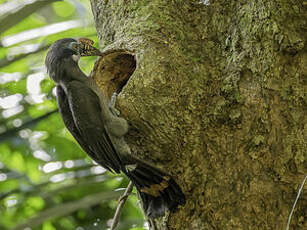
{"points": [[68, 50]]}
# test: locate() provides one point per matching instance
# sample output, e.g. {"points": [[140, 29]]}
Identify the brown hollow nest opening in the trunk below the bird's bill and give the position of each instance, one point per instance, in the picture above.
{"points": [[113, 70]]}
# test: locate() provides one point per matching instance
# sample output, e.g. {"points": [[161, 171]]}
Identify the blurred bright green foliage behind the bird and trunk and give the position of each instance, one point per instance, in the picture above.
{"points": [[46, 181]]}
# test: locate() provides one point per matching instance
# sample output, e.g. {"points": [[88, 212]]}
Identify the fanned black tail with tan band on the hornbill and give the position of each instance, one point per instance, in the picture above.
{"points": [[158, 191]]}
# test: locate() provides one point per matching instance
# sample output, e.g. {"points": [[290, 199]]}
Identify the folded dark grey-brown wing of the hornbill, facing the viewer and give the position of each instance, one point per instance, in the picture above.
{"points": [[85, 109]]}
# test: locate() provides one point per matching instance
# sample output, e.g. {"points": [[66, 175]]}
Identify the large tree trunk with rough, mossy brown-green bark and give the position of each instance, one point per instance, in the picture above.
{"points": [[218, 100]]}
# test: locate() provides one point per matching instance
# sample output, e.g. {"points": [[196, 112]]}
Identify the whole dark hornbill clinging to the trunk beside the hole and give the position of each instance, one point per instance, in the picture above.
{"points": [[100, 132]]}
